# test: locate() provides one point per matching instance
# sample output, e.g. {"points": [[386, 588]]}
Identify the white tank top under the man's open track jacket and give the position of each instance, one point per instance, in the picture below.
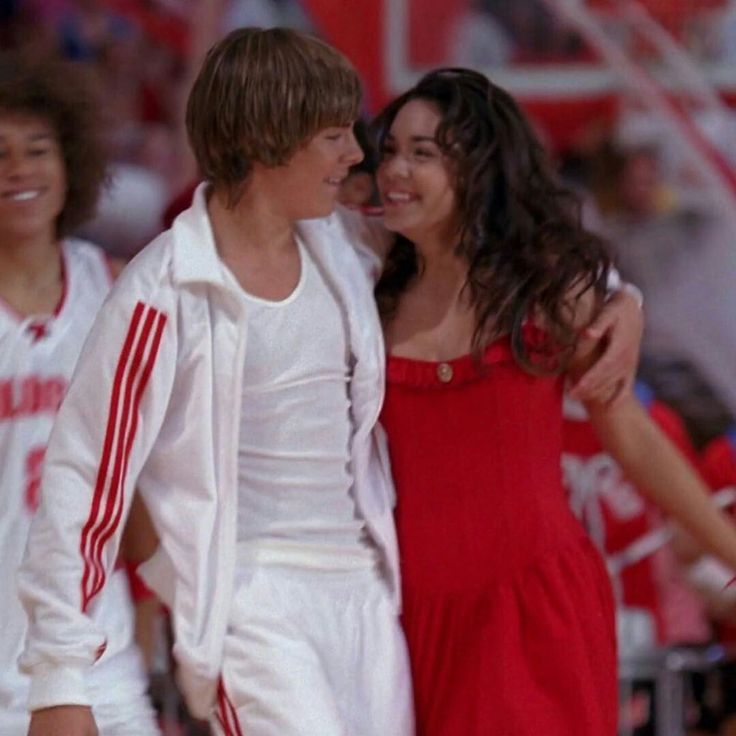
{"points": [[295, 503]]}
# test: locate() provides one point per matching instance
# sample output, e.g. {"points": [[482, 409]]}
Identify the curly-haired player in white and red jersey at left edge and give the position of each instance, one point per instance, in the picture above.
{"points": [[52, 165]]}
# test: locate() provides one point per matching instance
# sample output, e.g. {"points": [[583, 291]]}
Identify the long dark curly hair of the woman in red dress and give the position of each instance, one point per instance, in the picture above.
{"points": [[521, 231]]}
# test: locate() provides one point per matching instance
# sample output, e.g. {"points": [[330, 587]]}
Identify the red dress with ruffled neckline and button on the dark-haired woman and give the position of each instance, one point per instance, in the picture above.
{"points": [[508, 611]]}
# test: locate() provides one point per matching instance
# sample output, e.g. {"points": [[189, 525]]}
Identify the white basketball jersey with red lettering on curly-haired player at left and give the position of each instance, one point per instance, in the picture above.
{"points": [[37, 359]]}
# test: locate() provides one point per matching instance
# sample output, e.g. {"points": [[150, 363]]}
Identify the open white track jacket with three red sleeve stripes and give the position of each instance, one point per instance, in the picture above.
{"points": [[154, 403]]}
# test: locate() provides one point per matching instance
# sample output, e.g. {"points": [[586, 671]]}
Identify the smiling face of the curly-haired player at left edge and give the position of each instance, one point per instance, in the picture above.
{"points": [[32, 178]]}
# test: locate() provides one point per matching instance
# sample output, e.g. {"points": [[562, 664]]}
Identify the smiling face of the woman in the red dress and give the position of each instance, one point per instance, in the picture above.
{"points": [[415, 177]]}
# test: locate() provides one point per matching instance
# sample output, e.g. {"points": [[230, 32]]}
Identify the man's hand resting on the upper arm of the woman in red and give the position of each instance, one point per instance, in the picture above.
{"points": [[618, 331]]}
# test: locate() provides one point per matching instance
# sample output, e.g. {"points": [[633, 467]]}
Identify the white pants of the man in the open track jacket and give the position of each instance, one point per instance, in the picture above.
{"points": [[313, 653]]}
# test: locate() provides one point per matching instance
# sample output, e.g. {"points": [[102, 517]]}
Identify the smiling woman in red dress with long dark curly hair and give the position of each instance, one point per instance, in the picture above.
{"points": [[487, 288]]}
